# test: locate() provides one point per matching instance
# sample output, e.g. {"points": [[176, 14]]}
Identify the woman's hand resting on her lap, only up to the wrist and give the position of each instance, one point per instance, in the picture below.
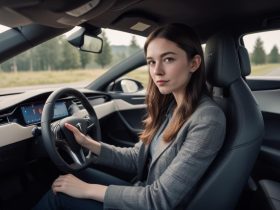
{"points": [[72, 186]]}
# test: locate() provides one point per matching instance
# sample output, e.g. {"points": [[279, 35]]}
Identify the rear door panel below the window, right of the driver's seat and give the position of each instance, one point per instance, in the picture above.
{"points": [[267, 95]]}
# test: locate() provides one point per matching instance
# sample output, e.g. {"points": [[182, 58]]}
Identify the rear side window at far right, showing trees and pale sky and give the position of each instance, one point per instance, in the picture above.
{"points": [[264, 51]]}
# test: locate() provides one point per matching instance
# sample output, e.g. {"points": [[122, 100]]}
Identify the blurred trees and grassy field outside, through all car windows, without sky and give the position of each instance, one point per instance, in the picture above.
{"points": [[57, 62]]}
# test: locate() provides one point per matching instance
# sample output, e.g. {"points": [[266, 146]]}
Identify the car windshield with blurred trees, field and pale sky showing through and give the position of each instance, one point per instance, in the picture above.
{"points": [[56, 63]]}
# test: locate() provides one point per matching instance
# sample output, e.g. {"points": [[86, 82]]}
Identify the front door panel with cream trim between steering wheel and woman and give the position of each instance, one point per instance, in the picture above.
{"points": [[122, 128]]}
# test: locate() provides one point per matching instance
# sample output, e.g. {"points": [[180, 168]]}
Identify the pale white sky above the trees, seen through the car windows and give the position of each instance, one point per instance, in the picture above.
{"points": [[121, 38]]}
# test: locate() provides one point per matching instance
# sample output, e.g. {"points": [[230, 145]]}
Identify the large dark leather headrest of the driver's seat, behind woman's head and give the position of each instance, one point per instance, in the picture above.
{"points": [[221, 60]]}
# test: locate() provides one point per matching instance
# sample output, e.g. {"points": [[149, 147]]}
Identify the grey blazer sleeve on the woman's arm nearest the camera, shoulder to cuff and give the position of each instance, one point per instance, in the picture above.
{"points": [[203, 140]]}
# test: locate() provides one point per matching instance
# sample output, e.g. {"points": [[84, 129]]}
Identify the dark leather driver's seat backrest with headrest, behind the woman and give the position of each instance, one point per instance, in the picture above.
{"points": [[221, 186]]}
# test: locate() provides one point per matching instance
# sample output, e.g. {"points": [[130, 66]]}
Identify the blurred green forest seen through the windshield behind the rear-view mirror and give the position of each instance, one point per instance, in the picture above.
{"points": [[57, 54]]}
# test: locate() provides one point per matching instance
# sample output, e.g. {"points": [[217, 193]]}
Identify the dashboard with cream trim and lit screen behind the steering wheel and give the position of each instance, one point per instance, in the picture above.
{"points": [[20, 114]]}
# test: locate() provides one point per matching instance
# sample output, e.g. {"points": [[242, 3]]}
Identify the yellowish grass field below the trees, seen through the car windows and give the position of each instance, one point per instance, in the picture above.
{"points": [[17, 79]]}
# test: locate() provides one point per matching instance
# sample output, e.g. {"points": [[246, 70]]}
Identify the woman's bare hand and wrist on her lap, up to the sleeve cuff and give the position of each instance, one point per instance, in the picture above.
{"points": [[77, 188]]}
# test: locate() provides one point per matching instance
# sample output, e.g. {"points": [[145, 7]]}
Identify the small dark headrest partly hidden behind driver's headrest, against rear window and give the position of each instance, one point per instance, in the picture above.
{"points": [[244, 61]]}
